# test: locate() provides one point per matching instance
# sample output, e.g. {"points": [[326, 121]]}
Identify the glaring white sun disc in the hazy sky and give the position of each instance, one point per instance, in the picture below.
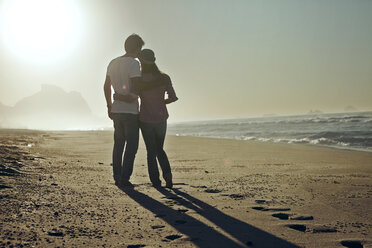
{"points": [[40, 31]]}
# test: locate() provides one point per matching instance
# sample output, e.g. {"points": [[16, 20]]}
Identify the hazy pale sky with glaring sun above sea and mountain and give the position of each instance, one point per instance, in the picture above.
{"points": [[226, 59]]}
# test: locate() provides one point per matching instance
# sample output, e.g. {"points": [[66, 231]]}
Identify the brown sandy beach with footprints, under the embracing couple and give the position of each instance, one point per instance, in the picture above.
{"points": [[56, 190]]}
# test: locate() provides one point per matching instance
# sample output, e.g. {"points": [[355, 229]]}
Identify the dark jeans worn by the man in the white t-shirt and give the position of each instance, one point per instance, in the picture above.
{"points": [[126, 131]]}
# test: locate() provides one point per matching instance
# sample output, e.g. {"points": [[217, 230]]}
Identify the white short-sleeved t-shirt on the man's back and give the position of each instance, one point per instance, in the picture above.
{"points": [[120, 71]]}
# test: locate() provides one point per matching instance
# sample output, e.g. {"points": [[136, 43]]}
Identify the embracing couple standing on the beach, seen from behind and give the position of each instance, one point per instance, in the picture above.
{"points": [[131, 79]]}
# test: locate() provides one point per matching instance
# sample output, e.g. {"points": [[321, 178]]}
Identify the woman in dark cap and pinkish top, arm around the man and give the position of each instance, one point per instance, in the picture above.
{"points": [[153, 117]]}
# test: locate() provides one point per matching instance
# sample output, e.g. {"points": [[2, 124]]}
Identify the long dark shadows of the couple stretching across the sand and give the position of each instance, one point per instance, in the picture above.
{"points": [[239, 233]]}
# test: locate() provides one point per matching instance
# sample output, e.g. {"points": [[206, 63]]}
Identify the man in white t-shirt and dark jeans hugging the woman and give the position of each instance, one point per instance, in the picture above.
{"points": [[124, 76]]}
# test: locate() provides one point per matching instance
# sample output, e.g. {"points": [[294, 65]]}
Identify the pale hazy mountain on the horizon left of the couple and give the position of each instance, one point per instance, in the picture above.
{"points": [[50, 108]]}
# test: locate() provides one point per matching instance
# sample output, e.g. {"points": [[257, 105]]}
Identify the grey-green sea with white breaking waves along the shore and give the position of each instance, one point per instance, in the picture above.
{"points": [[341, 130]]}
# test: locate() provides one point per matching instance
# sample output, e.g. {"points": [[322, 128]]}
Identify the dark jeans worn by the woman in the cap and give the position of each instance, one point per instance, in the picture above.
{"points": [[154, 135]]}
